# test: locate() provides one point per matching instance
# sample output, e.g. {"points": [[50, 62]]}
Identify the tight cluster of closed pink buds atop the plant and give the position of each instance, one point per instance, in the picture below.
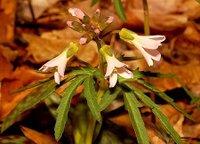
{"points": [[91, 27]]}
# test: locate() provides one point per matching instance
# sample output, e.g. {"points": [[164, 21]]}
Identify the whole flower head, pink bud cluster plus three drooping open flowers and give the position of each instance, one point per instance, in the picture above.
{"points": [[92, 27]]}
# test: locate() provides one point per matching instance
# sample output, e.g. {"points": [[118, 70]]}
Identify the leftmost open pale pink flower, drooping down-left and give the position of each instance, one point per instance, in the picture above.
{"points": [[59, 63]]}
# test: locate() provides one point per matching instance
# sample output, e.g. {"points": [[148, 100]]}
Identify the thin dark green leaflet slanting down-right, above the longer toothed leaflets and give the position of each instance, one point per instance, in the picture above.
{"points": [[165, 97]]}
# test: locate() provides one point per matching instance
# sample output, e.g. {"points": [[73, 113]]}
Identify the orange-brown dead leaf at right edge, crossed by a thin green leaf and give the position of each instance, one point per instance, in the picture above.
{"points": [[189, 75]]}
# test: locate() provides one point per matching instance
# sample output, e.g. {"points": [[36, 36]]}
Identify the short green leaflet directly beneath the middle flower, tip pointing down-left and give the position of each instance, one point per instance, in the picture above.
{"points": [[108, 98]]}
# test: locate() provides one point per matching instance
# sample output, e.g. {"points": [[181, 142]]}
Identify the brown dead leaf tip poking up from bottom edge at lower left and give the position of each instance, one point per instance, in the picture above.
{"points": [[37, 137]]}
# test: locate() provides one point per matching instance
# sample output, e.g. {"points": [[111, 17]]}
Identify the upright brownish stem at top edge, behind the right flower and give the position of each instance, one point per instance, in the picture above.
{"points": [[146, 18]]}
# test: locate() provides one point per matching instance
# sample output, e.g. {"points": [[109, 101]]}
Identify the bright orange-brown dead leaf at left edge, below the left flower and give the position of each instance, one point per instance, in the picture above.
{"points": [[21, 77]]}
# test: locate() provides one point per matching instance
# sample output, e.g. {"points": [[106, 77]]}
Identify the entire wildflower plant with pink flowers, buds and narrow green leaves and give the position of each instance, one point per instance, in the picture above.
{"points": [[103, 84]]}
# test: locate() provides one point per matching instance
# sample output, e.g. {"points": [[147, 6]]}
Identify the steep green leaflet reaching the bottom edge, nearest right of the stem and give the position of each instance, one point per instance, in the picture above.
{"points": [[136, 118]]}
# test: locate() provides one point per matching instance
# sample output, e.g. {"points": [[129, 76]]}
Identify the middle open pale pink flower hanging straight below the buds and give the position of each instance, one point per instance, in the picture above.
{"points": [[114, 67]]}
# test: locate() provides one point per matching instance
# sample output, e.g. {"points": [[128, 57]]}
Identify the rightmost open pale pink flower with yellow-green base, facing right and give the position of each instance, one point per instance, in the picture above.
{"points": [[146, 44]]}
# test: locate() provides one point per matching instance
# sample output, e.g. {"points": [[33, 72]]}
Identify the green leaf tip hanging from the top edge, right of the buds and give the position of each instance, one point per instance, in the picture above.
{"points": [[120, 10]]}
